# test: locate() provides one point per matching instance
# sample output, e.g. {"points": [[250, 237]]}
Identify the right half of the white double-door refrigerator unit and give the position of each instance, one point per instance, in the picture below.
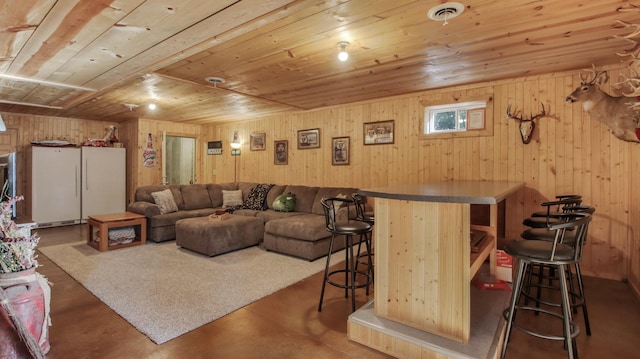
{"points": [[103, 181]]}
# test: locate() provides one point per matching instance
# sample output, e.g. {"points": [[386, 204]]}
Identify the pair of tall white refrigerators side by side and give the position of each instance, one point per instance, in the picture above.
{"points": [[71, 184]]}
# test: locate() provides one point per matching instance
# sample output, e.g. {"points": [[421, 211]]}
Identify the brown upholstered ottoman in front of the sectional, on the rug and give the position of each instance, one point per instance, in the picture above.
{"points": [[216, 237]]}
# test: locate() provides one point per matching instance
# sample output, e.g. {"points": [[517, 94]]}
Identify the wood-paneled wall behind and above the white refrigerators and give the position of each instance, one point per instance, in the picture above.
{"points": [[37, 128]]}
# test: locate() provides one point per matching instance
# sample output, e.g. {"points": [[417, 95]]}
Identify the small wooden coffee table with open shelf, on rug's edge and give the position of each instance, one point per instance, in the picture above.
{"points": [[104, 222]]}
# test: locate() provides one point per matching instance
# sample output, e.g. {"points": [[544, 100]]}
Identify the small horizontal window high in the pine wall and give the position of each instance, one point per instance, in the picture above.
{"points": [[449, 117]]}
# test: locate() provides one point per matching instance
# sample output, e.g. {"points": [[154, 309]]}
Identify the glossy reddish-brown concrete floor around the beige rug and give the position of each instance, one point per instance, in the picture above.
{"points": [[286, 324]]}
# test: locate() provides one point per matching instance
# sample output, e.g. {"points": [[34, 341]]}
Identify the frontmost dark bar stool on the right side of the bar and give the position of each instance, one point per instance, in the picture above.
{"points": [[558, 255]]}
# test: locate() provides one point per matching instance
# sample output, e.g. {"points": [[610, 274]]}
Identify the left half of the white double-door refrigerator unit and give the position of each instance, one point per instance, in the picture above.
{"points": [[55, 186]]}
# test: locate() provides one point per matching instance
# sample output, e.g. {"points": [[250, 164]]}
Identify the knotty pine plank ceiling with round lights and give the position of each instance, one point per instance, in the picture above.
{"points": [[88, 58]]}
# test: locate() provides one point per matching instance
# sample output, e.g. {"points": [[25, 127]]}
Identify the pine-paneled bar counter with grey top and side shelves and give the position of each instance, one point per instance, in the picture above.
{"points": [[424, 263]]}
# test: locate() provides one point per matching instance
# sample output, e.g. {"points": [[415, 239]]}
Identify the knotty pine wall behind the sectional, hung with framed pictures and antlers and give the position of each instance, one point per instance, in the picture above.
{"points": [[570, 152]]}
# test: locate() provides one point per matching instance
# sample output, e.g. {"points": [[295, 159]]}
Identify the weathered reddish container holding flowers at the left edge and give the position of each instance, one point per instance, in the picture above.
{"points": [[27, 298]]}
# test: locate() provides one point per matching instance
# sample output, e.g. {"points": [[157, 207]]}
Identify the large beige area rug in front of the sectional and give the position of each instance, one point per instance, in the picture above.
{"points": [[165, 291]]}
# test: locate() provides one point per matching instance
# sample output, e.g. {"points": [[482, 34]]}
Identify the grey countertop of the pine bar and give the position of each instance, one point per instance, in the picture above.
{"points": [[473, 192]]}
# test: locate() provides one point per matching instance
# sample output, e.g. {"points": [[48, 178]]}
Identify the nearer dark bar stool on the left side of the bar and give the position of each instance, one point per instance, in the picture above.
{"points": [[338, 223]]}
